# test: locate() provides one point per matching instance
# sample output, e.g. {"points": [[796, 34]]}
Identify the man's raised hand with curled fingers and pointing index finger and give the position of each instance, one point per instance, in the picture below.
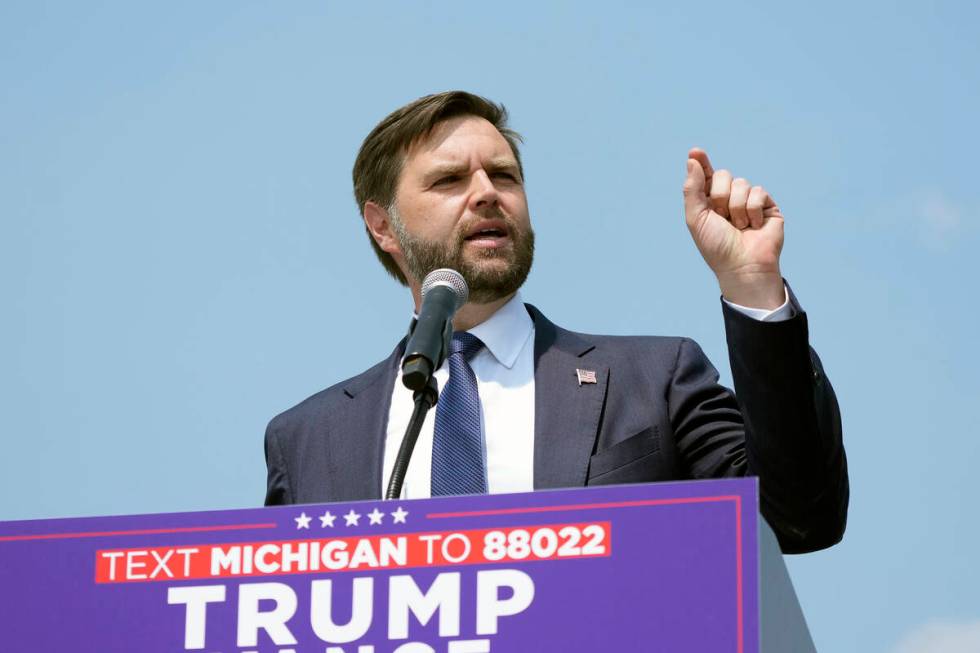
{"points": [[738, 228]]}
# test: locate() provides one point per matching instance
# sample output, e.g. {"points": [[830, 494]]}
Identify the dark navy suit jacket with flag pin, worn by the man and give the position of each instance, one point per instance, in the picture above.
{"points": [[656, 413]]}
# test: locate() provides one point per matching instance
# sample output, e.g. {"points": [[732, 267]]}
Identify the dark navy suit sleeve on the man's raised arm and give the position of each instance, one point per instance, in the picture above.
{"points": [[782, 425]]}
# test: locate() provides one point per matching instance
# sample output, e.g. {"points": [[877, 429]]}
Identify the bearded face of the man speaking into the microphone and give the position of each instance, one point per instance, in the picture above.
{"points": [[460, 204]]}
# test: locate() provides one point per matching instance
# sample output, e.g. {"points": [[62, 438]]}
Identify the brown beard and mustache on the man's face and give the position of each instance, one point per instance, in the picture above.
{"points": [[487, 280]]}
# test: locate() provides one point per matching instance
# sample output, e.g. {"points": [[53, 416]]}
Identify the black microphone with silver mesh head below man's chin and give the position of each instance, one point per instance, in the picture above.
{"points": [[444, 292]]}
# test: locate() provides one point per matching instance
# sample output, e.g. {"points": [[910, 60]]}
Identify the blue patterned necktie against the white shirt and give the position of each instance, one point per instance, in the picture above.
{"points": [[457, 446]]}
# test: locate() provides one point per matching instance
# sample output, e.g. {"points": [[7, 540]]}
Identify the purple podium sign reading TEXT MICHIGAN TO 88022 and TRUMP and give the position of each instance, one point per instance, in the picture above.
{"points": [[661, 567]]}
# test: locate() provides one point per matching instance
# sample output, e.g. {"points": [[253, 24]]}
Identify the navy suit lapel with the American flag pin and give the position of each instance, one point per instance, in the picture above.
{"points": [[566, 413]]}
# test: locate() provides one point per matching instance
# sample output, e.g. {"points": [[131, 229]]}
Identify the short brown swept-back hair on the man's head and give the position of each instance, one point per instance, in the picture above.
{"points": [[379, 162]]}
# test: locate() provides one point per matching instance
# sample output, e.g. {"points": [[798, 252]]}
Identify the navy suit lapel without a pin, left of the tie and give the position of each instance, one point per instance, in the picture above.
{"points": [[364, 429]]}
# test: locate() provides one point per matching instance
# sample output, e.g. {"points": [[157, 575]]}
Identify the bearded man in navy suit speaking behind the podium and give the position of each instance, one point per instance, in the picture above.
{"points": [[528, 405]]}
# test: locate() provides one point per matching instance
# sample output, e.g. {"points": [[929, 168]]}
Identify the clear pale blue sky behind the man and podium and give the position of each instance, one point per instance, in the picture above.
{"points": [[181, 257]]}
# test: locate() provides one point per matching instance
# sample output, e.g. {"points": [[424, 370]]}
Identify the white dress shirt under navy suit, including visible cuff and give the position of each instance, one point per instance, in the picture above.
{"points": [[504, 371]]}
